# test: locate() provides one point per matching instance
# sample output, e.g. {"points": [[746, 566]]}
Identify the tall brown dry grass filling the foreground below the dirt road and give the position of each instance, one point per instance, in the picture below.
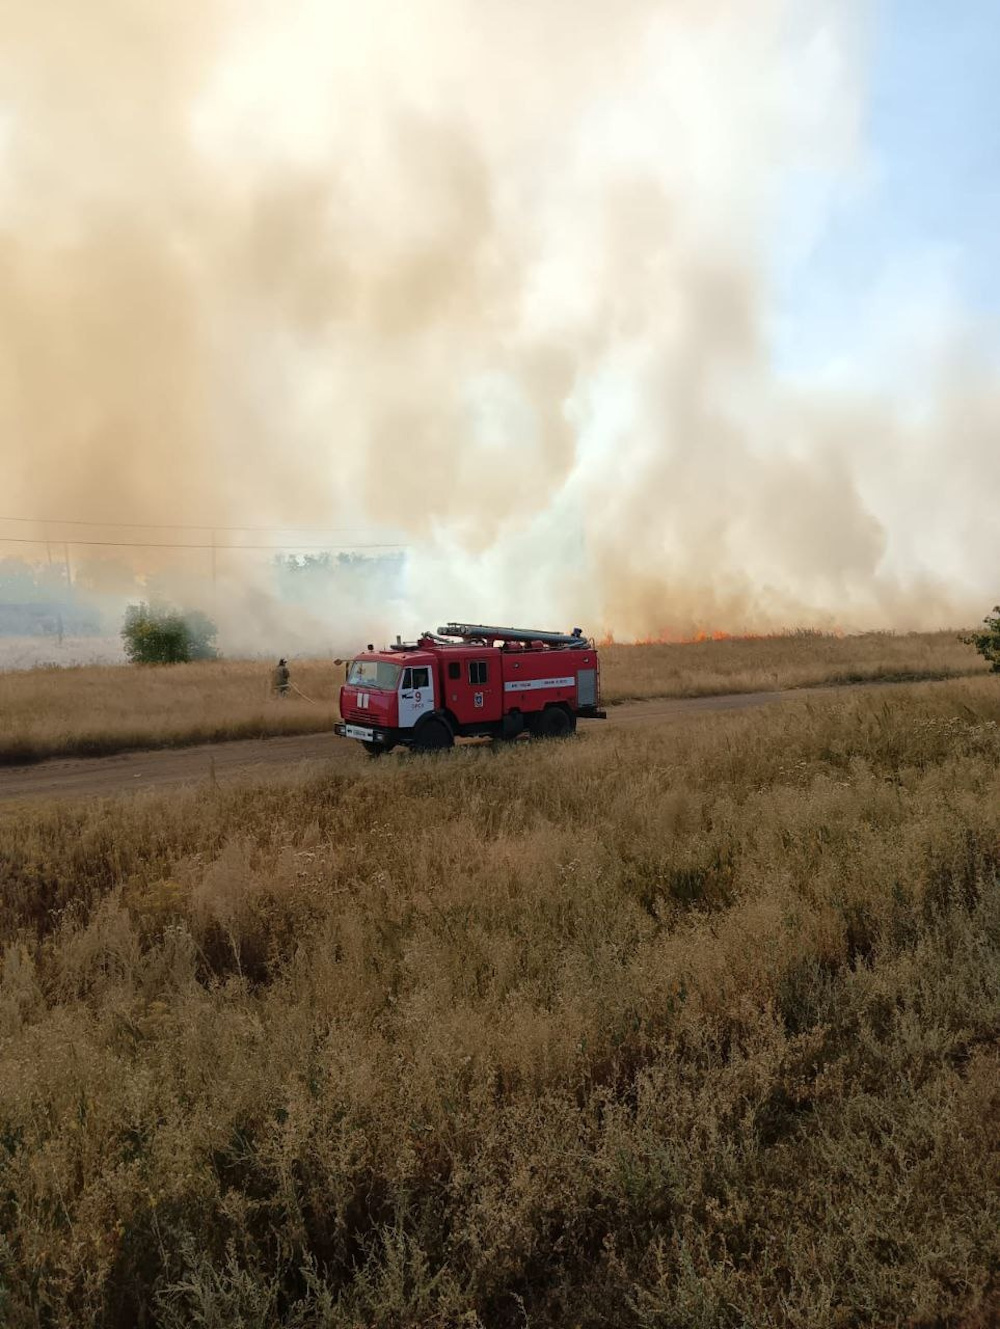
{"points": [[696, 1027]]}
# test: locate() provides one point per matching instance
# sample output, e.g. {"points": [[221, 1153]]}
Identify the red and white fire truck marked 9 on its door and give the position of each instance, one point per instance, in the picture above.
{"points": [[470, 681]]}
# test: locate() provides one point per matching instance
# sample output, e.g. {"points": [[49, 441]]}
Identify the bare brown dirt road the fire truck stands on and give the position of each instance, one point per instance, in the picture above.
{"points": [[127, 773]]}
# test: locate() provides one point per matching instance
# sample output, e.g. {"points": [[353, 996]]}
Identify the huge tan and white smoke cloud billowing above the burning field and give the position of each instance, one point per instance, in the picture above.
{"points": [[493, 281]]}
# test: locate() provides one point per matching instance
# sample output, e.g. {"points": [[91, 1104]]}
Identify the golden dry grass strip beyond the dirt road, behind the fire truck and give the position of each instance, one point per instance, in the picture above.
{"points": [[102, 709]]}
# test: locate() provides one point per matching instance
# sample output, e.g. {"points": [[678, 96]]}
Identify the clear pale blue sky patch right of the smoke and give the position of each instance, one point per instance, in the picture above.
{"points": [[925, 216]]}
